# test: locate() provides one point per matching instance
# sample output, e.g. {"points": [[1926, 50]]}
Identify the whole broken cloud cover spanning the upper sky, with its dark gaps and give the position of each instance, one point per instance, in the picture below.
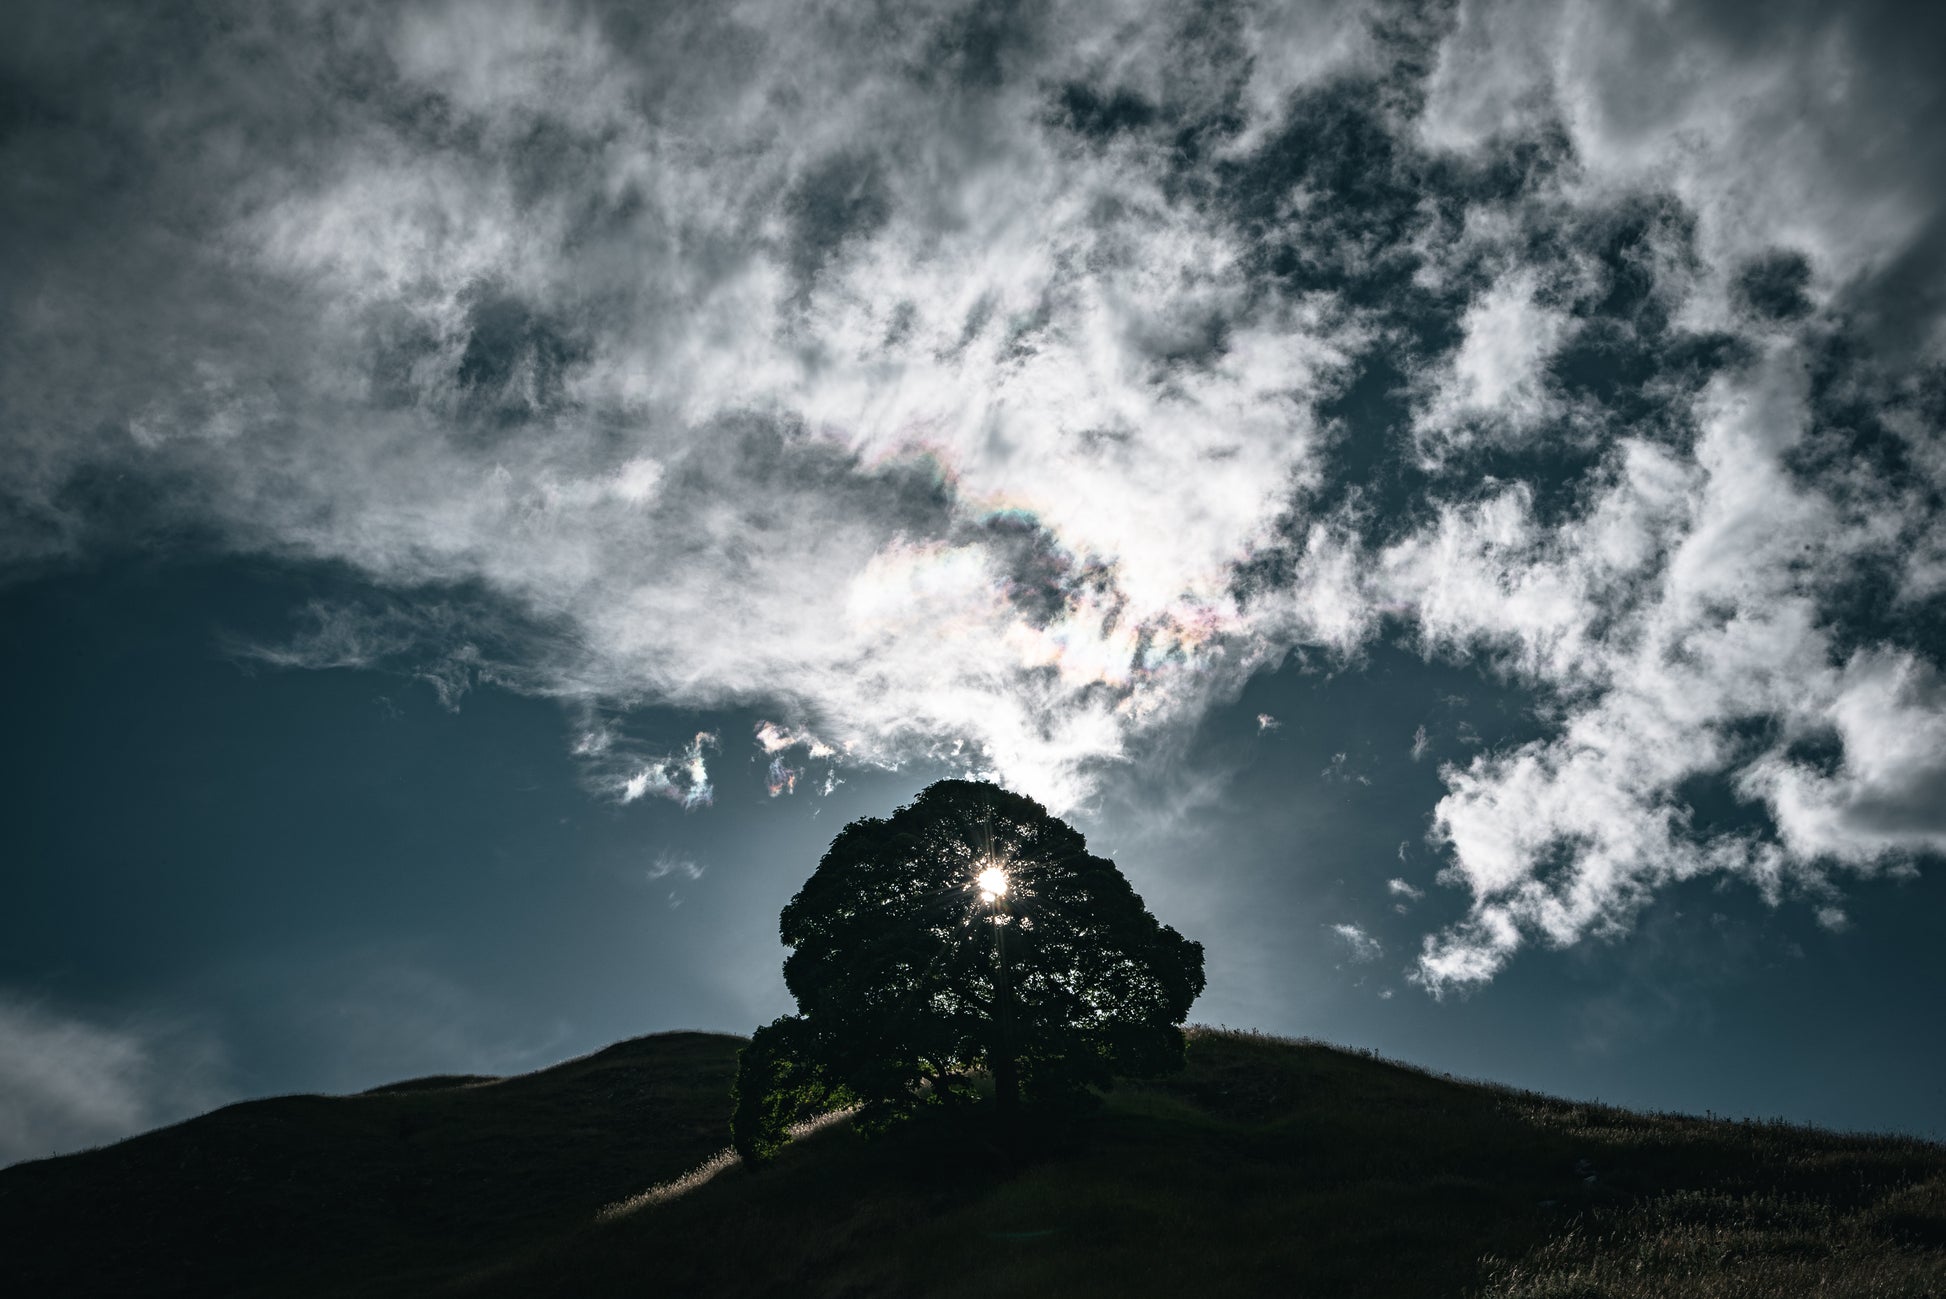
{"points": [[1013, 392]]}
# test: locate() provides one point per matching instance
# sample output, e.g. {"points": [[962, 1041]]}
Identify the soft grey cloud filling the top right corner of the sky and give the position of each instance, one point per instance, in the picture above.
{"points": [[1700, 104]]}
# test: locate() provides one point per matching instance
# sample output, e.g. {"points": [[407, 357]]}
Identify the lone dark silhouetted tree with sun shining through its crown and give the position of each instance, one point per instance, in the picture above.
{"points": [[968, 932]]}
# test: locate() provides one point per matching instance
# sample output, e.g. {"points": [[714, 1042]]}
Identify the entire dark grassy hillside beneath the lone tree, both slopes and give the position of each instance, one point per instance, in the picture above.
{"points": [[1270, 1168]]}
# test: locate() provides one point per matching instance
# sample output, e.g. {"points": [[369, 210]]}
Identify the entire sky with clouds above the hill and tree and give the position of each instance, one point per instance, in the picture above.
{"points": [[1451, 497]]}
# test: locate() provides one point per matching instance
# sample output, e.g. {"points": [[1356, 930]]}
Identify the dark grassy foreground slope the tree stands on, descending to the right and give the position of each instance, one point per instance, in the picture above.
{"points": [[1278, 1168]]}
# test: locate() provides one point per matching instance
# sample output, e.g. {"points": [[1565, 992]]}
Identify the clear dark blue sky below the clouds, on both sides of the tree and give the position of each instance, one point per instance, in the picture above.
{"points": [[326, 880]]}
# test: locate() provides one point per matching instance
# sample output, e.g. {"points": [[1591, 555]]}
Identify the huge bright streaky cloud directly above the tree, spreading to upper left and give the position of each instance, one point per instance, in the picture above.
{"points": [[908, 374]]}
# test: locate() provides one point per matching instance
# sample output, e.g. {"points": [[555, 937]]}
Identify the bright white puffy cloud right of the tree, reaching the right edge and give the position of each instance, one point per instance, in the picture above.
{"points": [[1571, 835]]}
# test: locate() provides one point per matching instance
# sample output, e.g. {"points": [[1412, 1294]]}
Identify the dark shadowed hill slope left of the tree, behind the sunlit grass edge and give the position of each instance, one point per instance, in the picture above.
{"points": [[384, 1193]]}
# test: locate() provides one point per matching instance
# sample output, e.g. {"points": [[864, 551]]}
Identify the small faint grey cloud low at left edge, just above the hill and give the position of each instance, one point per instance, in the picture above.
{"points": [[69, 1084]]}
